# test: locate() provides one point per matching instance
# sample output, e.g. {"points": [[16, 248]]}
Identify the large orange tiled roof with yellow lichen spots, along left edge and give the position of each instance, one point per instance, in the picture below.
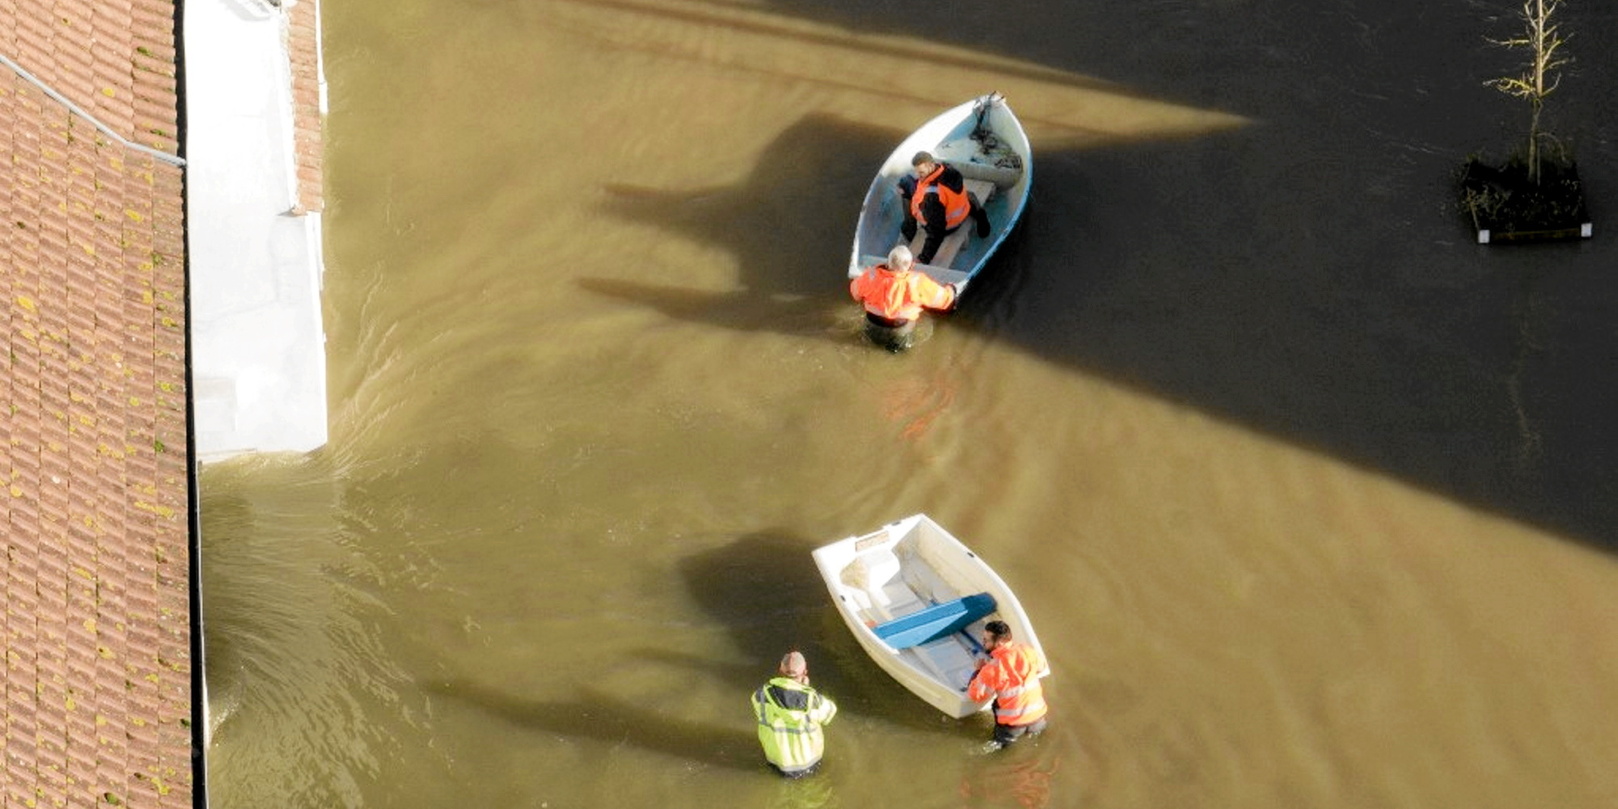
{"points": [[96, 591]]}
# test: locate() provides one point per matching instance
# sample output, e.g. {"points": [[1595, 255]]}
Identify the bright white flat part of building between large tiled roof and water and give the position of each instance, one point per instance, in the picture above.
{"points": [[258, 344]]}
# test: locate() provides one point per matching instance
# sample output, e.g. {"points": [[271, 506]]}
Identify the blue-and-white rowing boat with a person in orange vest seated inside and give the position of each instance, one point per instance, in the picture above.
{"points": [[988, 145]]}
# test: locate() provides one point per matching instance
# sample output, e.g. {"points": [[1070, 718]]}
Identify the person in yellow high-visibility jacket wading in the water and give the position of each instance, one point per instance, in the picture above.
{"points": [[790, 719]]}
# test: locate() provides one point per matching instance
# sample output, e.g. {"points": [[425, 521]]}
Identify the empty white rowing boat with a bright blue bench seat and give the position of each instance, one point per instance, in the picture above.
{"points": [[917, 601]]}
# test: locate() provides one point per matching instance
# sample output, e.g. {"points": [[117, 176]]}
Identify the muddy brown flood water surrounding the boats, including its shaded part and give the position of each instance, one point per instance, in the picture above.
{"points": [[1313, 501]]}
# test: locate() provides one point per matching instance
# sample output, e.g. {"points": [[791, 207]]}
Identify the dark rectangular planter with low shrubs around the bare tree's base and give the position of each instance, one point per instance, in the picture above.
{"points": [[1507, 206]]}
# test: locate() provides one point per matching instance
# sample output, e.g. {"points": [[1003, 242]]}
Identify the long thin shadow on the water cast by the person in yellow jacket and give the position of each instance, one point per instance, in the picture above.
{"points": [[612, 722]]}
